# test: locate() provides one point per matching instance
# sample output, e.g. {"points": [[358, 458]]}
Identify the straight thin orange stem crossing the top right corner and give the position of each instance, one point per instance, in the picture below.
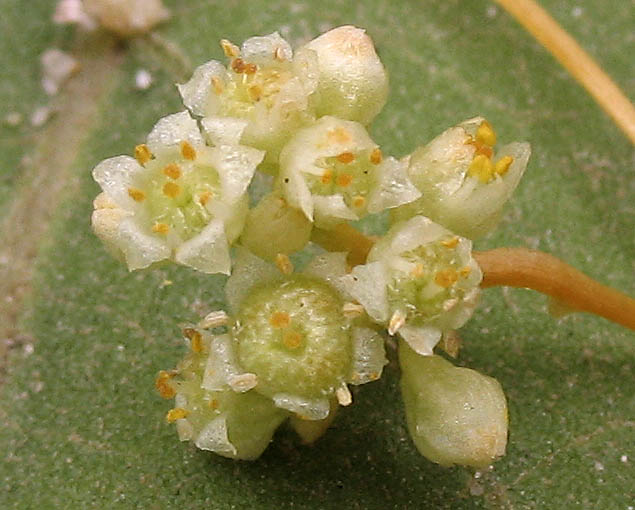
{"points": [[571, 55]]}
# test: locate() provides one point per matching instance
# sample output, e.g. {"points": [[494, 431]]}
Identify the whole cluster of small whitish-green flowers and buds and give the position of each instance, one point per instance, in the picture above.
{"points": [[290, 343]]}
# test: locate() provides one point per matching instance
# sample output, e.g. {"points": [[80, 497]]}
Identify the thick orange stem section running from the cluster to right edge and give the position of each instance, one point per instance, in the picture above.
{"points": [[521, 267]]}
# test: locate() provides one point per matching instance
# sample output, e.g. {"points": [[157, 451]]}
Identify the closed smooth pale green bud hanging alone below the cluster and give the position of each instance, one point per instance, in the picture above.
{"points": [[455, 415]]}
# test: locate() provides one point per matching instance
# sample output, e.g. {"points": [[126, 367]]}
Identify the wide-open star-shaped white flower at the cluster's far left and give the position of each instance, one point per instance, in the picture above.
{"points": [[179, 199]]}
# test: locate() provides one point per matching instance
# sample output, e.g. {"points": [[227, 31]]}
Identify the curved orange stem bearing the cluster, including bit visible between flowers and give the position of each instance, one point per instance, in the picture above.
{"points": [[513, 267]]}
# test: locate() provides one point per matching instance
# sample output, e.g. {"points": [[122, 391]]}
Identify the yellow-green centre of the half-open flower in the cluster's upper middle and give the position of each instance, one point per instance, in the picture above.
{"points": [[351, 179]]}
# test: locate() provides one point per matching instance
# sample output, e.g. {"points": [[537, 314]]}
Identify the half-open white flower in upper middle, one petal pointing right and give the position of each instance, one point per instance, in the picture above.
{"points": [[332, 171]]}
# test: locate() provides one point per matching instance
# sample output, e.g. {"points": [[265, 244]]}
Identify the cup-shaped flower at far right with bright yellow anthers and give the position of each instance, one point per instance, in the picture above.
{"points": [[465, 183]]}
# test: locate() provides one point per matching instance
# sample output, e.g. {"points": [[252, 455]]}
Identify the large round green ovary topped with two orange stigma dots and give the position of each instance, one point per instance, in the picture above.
{"points": [[293, 336]]}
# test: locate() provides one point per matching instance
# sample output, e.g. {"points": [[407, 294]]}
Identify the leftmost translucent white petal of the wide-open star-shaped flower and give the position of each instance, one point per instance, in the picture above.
{"points": [[115, 176]]}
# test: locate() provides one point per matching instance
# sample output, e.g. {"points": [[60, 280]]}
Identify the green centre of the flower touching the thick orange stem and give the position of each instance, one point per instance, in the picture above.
{"points": [[434, 278]]}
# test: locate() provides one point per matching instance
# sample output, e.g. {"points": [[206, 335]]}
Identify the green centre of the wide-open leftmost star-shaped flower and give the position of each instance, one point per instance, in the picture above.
{"points": [[179, 202]]}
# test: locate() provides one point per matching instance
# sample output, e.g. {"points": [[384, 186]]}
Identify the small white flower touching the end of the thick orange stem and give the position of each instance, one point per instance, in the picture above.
{"points": [[420, 280]]}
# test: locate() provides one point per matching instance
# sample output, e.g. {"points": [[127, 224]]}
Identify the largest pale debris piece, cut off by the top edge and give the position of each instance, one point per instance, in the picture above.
{"points": [[127, 18]]}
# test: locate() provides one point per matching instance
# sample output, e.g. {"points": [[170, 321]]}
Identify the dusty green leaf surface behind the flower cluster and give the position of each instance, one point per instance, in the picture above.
{"points": [[80, 423]]}
